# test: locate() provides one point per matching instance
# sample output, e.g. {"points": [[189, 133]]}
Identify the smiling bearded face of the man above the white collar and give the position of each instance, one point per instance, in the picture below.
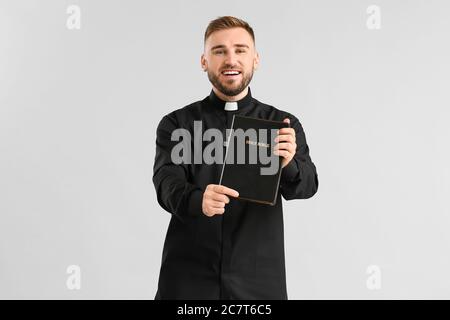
{"points": [[230, 59]]}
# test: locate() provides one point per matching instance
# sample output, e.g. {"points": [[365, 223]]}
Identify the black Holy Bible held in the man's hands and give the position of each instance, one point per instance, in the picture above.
{"points": [[250, 167]]}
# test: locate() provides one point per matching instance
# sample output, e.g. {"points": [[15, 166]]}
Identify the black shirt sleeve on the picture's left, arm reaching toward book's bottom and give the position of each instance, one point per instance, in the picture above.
{"points": [[174, 192]]}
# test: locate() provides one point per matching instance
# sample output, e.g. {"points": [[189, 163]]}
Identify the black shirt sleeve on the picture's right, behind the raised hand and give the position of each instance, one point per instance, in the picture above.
{"points": [[299, 178]]}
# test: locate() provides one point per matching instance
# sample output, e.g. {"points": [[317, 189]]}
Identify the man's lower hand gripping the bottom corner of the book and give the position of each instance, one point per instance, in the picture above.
{"points": [[215, 198]]}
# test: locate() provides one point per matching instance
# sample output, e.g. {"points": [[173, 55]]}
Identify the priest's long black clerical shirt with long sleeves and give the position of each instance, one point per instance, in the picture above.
{"points": [[237, 255]]}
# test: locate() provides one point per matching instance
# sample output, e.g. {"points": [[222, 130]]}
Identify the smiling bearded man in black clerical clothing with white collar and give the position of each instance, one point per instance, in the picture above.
{"points": [[217, 246]]}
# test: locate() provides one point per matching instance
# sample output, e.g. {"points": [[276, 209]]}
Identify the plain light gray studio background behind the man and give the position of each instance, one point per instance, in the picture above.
{"points": [[78, 117]]}
